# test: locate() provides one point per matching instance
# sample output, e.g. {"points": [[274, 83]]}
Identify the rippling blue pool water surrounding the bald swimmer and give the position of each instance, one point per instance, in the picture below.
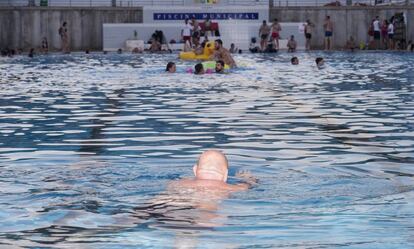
{"points": [[88, 145]]}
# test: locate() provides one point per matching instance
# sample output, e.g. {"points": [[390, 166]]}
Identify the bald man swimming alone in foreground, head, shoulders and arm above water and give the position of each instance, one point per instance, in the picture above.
{"points": [[211, 171]]}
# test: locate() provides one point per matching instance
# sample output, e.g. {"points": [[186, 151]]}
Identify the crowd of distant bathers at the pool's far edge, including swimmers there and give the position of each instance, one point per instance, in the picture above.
{"points": [[195, 36]]}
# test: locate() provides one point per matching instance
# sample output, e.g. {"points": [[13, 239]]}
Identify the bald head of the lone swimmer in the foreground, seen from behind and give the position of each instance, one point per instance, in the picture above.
{"points": [[211, 165]]}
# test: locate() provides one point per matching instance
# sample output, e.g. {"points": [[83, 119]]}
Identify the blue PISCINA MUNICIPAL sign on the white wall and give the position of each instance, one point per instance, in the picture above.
{"points": [[202, 16]]}
